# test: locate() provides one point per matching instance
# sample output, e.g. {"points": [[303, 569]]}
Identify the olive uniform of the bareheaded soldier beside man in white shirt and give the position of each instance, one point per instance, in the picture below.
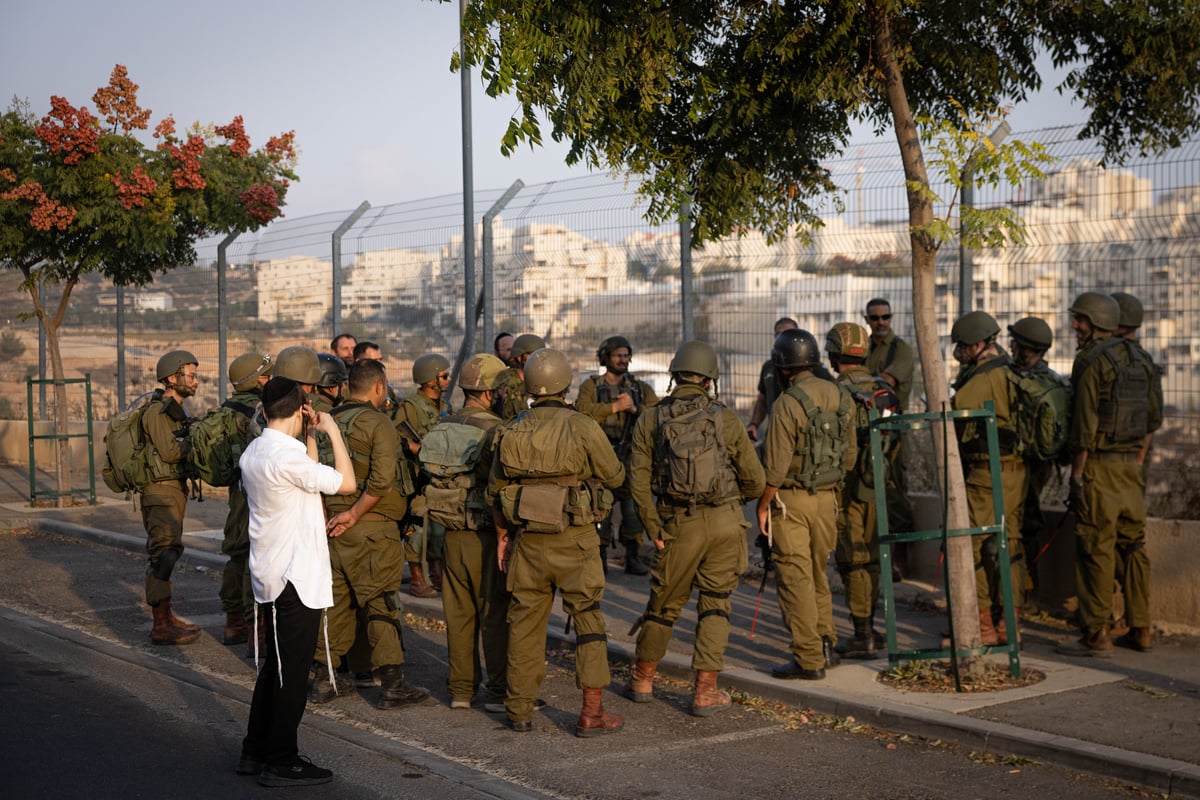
{"points": [[368, 558]]}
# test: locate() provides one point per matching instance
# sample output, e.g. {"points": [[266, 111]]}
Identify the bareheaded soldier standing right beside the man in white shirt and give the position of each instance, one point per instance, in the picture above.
{"points": [[364, 548]]}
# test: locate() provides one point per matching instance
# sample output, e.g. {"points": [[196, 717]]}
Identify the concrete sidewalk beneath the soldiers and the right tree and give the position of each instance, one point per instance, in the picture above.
{"points": [[1135, 718]]}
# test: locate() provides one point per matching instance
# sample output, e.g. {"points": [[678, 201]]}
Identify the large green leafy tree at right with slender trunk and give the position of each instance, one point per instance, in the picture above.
{"points": [[734, 105]]}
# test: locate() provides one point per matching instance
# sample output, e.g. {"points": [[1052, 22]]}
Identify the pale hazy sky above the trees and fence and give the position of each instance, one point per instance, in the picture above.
{"points": [[367, 87]]}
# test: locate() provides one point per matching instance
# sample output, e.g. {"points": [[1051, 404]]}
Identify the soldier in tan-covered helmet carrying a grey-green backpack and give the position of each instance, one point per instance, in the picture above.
{"points": [[458, 456]]}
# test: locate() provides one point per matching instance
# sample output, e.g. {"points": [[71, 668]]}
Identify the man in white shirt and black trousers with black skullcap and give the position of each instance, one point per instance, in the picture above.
{"points": [[290, 572]]}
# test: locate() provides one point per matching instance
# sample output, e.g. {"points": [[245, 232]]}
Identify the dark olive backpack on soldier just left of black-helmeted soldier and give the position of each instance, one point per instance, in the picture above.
{"points": [[692, 466]]}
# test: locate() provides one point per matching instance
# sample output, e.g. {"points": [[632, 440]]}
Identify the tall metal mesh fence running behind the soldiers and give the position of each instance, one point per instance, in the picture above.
{"points": [[575, 262]]}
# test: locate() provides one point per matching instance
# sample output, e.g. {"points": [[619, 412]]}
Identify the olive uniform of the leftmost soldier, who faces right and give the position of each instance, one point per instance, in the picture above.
{"points": [[165, 498]]}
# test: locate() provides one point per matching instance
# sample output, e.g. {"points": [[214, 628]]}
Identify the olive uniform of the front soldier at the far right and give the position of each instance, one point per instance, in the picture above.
{"points": [[1111, 531]]}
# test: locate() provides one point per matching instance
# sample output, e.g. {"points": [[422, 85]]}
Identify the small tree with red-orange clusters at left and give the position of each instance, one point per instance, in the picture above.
{"points": [[82, 195]]}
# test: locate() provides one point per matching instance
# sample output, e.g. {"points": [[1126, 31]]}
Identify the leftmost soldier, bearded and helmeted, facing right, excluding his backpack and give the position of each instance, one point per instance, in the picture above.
{"points": [[165, 498]]}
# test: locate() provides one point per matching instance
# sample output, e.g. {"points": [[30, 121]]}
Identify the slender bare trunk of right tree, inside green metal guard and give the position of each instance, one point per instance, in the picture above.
{"points": [[965, 619]]}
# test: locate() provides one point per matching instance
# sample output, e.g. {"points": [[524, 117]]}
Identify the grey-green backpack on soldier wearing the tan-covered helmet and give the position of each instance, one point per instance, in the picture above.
{"points": [[451, 455]]}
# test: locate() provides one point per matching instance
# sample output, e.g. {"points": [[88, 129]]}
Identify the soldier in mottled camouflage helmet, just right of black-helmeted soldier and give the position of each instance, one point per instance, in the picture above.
{"points": [[859, 542]]}
